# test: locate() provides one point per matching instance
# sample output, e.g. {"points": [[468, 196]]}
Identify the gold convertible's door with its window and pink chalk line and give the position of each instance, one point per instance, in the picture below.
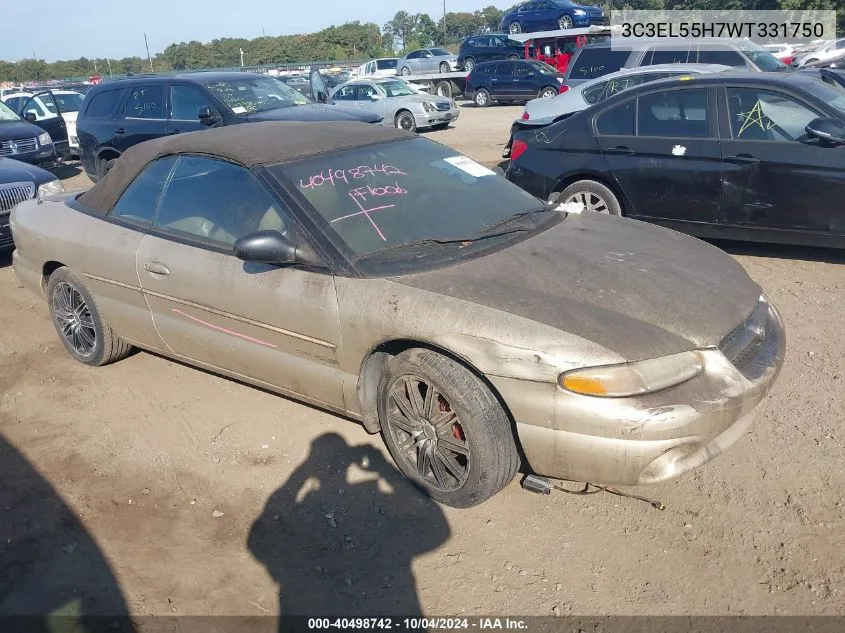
{"points": [[275, 325]]}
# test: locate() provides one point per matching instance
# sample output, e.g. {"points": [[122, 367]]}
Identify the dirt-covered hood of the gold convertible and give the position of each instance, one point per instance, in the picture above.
{"points": [[638, 290]]}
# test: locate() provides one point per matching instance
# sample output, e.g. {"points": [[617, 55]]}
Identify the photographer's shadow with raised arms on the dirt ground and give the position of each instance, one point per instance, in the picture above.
{"points": [[344, 548]]}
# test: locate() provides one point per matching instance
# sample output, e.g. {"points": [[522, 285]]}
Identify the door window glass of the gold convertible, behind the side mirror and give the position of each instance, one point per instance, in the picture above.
{"points": [[217, 201]]}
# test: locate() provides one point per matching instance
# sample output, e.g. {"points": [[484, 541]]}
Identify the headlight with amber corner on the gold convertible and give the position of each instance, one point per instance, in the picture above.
{"points": [[633, 379]]}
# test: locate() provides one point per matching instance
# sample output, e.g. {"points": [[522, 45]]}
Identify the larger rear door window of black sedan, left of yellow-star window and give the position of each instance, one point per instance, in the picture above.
{"points": [[674, 113]]}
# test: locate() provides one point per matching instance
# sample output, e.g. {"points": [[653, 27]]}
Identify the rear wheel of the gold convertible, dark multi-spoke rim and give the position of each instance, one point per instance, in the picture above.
{"points": [[84, 332]]}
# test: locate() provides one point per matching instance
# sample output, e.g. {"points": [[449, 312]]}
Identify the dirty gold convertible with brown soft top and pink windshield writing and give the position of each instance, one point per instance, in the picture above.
{"points": [[392, 280]]}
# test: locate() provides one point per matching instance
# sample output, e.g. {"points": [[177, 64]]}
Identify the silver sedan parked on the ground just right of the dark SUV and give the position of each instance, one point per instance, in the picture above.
{"points": [[397, 103]]}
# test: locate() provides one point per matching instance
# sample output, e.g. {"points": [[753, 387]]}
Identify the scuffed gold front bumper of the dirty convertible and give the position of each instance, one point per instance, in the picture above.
{"points": [[644, 440]]}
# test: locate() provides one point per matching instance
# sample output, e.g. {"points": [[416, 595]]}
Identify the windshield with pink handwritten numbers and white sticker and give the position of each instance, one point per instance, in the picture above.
{"points": [[381, 196]]}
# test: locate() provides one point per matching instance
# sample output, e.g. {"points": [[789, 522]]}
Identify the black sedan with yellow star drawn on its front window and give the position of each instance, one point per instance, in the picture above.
{"points": [[748, 156]]}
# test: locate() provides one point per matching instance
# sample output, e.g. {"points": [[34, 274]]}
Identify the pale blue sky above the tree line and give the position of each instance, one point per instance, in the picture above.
{"points": [[58, 29]]}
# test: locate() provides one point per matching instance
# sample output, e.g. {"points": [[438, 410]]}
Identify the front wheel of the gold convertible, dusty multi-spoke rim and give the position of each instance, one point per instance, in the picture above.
{"points": [[444, 429]]}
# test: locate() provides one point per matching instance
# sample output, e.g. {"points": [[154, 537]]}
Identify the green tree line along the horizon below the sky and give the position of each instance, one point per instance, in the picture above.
{"points": [[350, 41]]}
